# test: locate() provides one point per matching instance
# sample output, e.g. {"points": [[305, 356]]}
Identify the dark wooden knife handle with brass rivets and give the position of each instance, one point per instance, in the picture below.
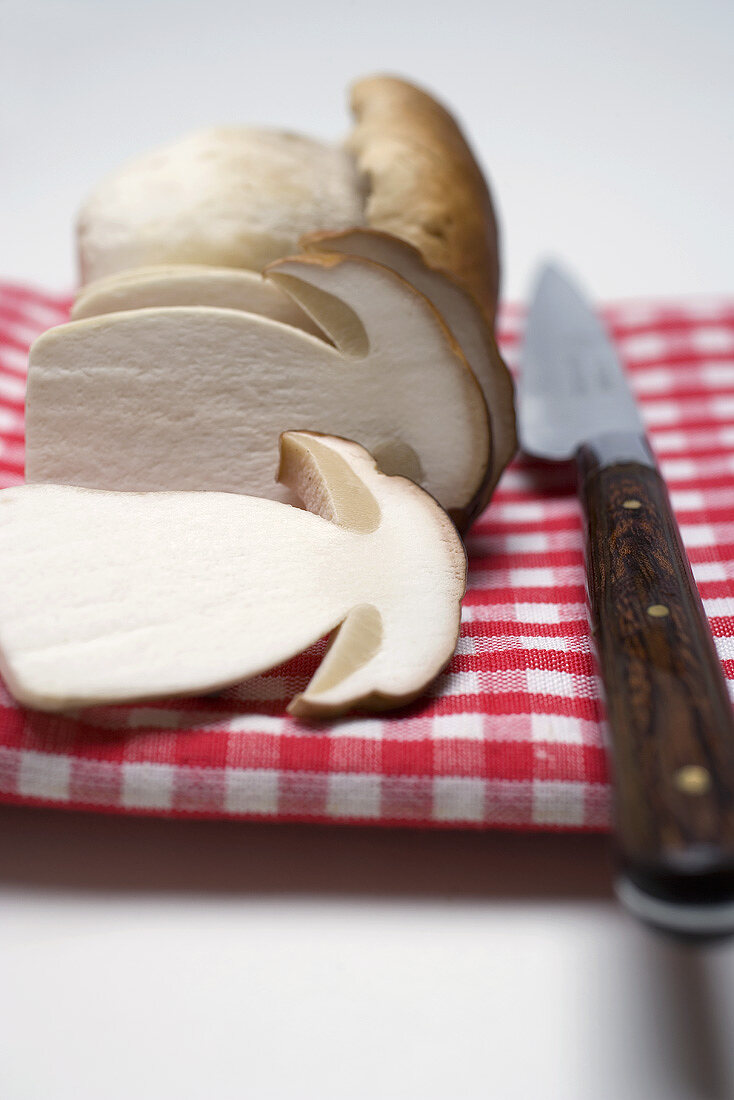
{"points": [[671, 719]]}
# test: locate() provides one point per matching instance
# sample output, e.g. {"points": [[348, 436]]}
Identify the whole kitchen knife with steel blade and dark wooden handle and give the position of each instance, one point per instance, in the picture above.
{"points": [[671, 722]]}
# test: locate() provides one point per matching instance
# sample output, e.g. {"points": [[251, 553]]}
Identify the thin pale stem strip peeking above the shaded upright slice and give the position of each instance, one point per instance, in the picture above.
{"points": [[189, 285]]}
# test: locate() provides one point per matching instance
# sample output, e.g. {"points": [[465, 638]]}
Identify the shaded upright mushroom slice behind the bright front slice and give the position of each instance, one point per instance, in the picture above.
{"points": [[196, 399]]}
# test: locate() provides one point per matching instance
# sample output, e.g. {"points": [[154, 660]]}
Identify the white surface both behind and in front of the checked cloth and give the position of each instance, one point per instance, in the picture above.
{"points": [[160, 960]]}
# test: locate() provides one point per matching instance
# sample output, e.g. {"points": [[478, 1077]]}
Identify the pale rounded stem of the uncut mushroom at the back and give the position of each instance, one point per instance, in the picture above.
{"points": [[233, 197]]}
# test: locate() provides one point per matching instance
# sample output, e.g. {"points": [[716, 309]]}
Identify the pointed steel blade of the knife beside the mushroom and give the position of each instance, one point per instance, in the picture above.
{"points": [[573, 389]]}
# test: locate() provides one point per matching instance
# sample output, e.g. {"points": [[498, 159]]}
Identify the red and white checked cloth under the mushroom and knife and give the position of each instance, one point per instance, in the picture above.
{"points": [[511, 734]]}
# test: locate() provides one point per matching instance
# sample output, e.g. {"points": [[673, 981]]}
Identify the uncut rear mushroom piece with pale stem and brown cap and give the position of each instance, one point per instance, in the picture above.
{"points": [[243, 197]]}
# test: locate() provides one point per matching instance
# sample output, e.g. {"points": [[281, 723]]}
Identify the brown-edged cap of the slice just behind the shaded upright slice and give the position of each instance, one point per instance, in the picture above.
{"points": [[462, 314]]}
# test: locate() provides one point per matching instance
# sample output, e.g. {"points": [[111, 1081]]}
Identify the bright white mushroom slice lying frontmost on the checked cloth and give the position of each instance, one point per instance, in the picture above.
{"points": [[115, 598]]}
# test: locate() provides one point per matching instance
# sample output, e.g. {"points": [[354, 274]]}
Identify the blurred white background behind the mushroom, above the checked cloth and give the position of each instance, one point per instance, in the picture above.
{"points": [[606, 127]]}
